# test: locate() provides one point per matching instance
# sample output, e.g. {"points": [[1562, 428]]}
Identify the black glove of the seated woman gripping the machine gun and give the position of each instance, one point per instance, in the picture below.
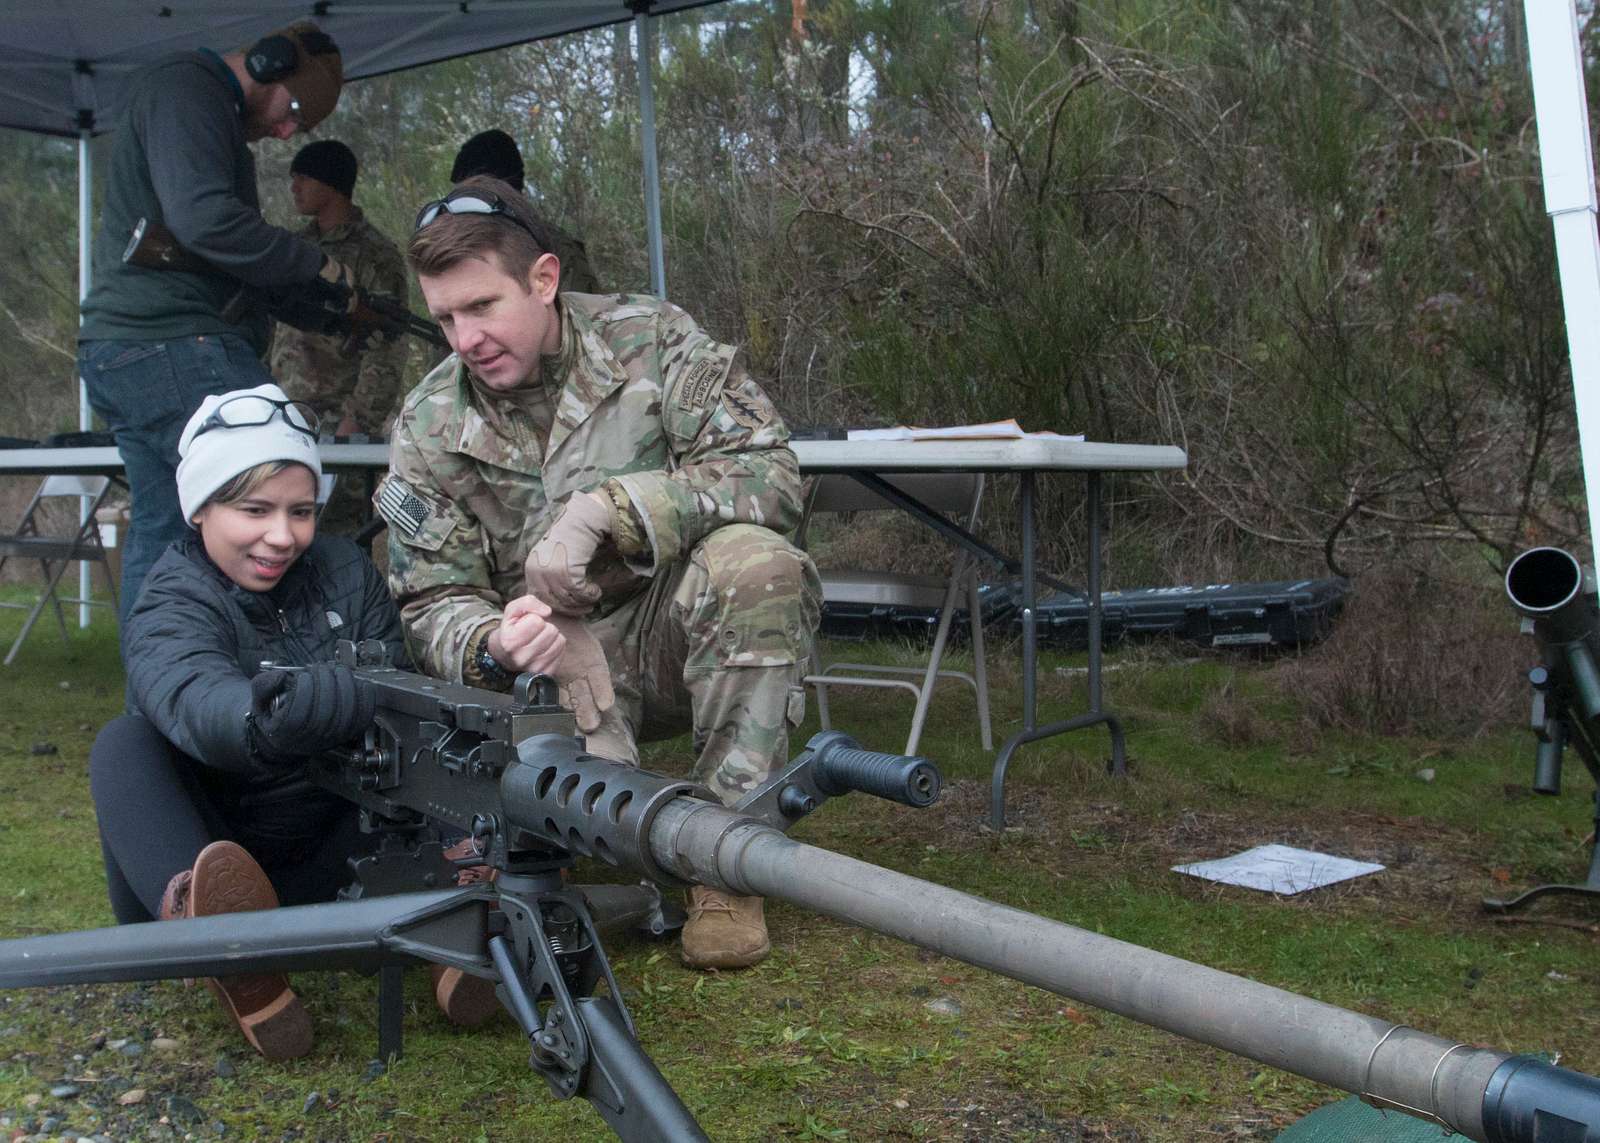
{"points": [[310, 710]]}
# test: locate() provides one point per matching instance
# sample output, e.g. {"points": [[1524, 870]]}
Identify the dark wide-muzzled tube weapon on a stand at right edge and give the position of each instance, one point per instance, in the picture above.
{"points": [[1561, 608]]}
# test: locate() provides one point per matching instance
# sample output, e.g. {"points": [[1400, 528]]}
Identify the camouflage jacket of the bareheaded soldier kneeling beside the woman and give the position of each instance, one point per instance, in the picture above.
{"points": [[649, 409]]}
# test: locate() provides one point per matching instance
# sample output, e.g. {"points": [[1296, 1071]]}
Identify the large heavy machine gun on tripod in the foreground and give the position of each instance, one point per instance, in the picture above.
{"points": [[511, 772]]}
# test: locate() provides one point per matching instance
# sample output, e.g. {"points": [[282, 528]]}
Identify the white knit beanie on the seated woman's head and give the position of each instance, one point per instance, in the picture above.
{"points": [[215, 457]]}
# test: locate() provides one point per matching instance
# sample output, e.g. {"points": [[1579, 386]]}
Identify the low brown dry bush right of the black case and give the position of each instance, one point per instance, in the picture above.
{"points": [[1418, 651]]}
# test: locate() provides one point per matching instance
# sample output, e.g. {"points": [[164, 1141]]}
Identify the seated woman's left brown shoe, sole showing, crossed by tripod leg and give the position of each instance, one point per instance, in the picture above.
{"points": [[228, 880]]}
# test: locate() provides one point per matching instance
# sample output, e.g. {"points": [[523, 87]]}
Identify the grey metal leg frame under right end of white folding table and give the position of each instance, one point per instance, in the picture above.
{"points": [[1031, 731]]}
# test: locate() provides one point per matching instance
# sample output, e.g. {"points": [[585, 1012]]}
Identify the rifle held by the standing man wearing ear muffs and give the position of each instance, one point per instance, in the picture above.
{"points": [[154, 247]]}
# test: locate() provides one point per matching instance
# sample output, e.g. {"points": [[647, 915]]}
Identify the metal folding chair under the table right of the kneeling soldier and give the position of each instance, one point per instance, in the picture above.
{"points": [[953, 494]]}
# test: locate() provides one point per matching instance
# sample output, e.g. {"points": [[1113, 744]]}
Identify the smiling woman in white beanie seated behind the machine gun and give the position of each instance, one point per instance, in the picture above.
{"points": [[199, 790]]}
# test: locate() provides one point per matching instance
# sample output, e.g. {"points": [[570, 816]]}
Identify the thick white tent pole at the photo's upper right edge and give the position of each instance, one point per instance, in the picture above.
{"points": [[1570, 201]]}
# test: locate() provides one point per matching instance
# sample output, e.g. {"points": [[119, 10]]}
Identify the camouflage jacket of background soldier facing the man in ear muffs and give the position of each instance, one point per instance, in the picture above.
{"points": [[314, 367]]}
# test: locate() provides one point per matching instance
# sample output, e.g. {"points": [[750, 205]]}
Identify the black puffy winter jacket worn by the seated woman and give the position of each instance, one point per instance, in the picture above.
{"points": [[196, 640]]}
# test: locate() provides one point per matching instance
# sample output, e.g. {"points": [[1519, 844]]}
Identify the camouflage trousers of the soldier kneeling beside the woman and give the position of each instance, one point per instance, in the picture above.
{"points": [[716, 646]]}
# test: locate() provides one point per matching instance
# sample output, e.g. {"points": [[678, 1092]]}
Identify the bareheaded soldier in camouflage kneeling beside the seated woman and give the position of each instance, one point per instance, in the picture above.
{"points": [[601, 457]]}
